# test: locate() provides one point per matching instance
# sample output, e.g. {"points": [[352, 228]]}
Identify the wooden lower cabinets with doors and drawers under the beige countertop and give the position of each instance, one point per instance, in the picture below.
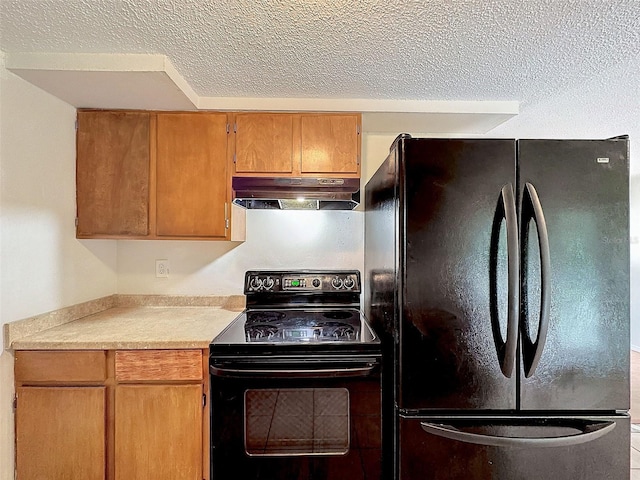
{"points": [[98, 415]]}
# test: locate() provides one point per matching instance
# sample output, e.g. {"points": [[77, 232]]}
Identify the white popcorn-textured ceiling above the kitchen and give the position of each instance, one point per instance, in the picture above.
{"points": [[469, 50]]}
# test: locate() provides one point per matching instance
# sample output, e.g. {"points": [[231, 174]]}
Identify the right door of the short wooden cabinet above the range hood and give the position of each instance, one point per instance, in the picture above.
{"points": [[330, 144]]}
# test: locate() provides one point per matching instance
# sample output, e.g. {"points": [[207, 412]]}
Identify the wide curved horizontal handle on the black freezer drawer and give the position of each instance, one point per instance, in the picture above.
{"points": [[590, 431]]}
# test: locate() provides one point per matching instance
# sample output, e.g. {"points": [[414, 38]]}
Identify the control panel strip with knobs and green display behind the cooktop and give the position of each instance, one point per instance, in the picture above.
{"points": [[302, 281]]}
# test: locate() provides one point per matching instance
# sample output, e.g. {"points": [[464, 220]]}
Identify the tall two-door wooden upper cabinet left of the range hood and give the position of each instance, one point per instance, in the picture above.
{"points": [[155, 175]]}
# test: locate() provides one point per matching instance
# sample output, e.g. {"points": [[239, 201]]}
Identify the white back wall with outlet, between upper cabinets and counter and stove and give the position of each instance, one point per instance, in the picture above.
{"points": [[276, 239]]}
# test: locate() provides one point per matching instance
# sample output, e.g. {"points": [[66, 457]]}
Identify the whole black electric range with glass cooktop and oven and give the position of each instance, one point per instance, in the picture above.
{"points": [[295, 382]]}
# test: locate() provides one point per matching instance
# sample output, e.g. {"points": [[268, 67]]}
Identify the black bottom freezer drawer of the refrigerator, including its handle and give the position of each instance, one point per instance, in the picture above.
{"points": [[514, 448]]}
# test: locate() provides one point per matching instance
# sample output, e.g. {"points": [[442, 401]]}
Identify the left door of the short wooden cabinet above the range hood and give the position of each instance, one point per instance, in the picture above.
{"points": [[264, 143]]}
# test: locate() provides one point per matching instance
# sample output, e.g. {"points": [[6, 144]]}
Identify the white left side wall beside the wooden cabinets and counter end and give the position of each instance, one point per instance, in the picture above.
{"points": [[43, 267]]}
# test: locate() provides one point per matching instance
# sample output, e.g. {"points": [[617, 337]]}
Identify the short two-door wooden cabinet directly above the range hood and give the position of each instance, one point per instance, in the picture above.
{"points": [[297, 144]]}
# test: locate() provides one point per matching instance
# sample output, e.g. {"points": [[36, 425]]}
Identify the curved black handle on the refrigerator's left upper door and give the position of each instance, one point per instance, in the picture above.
{"points": [[506, 348]]}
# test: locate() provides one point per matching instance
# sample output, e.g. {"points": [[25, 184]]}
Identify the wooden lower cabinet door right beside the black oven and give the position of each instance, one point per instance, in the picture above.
{"points": [[158, 432]]}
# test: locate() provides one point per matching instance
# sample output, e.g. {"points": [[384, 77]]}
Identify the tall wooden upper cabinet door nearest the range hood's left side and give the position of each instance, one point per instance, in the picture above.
{"points": [[191, 175]]}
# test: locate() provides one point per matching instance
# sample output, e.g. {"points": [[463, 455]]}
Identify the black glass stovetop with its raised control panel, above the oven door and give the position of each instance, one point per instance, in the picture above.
{"points": [[299, 310]]}
